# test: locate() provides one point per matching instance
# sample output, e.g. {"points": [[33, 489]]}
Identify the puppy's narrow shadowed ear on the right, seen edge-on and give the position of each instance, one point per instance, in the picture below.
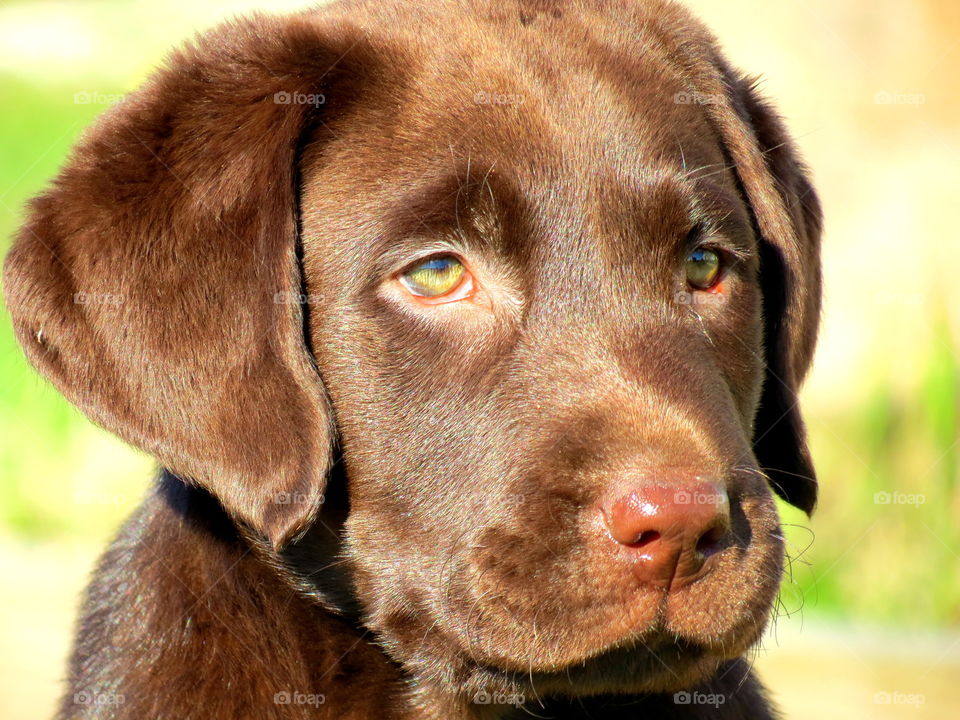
{"points": [[789, 222]]}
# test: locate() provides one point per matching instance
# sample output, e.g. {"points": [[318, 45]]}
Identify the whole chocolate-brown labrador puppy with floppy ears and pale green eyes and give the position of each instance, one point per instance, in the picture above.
{"points": [[468, 335]]}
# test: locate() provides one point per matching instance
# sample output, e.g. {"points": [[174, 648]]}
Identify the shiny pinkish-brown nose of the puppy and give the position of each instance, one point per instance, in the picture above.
{"points": [[671, 529]]}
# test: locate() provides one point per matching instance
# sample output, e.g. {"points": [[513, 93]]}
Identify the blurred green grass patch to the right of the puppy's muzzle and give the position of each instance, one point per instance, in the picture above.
{"points": [[885, 536]]}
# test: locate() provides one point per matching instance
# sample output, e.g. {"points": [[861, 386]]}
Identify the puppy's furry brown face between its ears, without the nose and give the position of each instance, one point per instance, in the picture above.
{"points": [[562, 359]]}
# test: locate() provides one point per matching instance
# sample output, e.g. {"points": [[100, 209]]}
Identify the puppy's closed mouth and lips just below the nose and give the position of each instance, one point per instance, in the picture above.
{"points": [[632, 630]]}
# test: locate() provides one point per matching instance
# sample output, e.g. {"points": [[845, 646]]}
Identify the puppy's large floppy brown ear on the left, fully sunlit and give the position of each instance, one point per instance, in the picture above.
{"points": [[157, 282]]}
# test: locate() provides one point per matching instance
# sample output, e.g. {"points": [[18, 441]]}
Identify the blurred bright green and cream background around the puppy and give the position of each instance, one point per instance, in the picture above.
{"points": [[869, 617]]}
